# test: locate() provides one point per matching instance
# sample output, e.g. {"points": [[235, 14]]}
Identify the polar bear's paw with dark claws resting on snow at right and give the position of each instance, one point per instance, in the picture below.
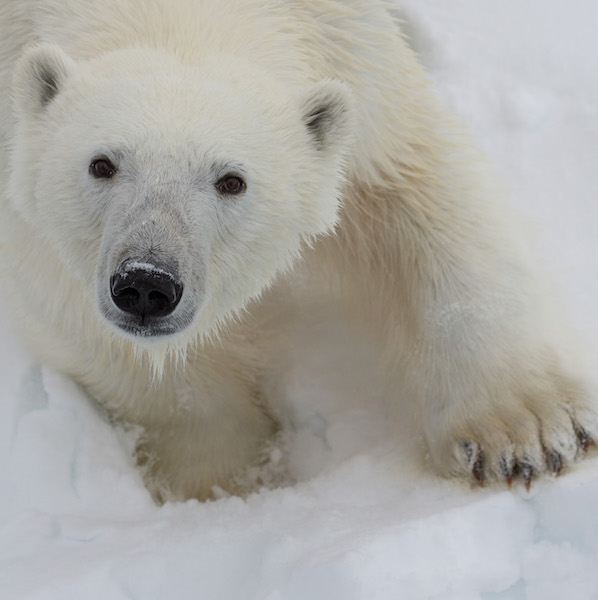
{"points": [[540, 433]]}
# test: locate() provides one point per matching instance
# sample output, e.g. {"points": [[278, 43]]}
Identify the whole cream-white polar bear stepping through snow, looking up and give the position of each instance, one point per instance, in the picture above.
{"points": [[167, 163]]}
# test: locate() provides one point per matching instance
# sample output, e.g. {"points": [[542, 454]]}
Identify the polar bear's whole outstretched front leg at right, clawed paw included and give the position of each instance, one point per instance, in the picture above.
{"points": [[463, 323]]}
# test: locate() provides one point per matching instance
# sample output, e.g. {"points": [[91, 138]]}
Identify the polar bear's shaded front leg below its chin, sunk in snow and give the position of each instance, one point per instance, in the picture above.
{"points": [[204, 424]]}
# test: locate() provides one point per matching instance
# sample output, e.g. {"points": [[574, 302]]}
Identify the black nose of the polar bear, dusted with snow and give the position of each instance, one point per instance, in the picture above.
{"points": [[145, 290]]}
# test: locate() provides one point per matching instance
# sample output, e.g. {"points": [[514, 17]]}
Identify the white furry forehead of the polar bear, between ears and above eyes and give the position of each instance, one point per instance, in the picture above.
{"points": [[179, 103]]}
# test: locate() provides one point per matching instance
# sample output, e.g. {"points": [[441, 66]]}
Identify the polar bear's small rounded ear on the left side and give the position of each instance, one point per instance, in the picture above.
{"points": [[39, 76]]}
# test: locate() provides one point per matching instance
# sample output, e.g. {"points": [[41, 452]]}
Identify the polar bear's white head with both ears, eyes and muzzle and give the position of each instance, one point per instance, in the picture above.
{"points": [[162, 185]]}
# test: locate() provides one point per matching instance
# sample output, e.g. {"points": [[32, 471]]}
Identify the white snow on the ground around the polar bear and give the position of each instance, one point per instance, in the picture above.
{"points": [[363, 522]]}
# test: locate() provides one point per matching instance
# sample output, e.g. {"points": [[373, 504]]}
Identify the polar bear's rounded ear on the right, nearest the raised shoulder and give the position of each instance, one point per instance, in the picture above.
{"points": [[328, 115]]}
